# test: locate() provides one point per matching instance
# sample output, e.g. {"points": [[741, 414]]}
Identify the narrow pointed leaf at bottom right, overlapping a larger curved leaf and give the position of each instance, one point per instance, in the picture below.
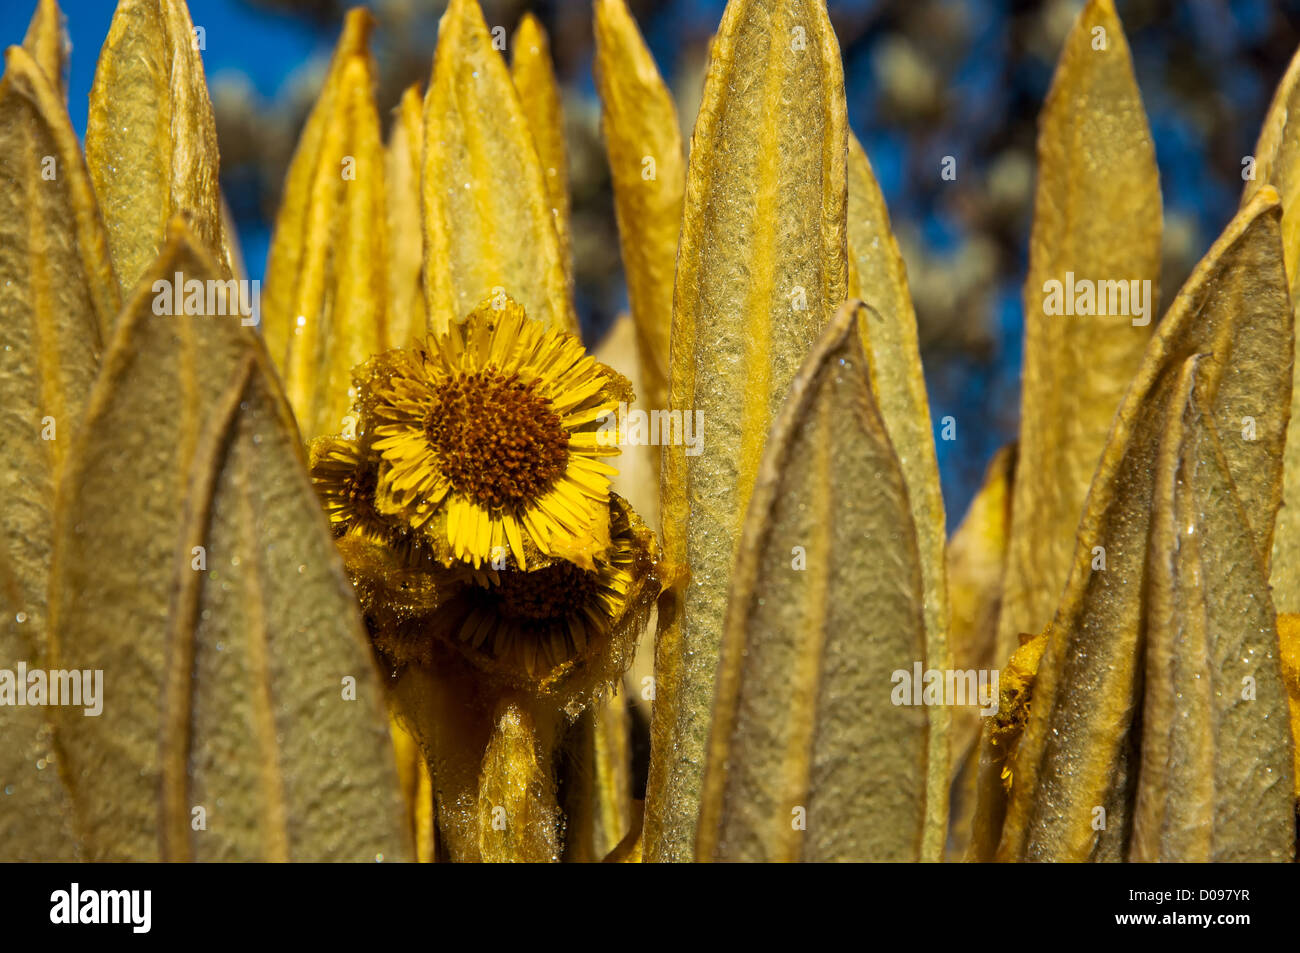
{"points": [[1216, 779]]}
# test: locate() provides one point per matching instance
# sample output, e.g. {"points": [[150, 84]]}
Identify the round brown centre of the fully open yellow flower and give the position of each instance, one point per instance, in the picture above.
{"points": [[499, 441]]}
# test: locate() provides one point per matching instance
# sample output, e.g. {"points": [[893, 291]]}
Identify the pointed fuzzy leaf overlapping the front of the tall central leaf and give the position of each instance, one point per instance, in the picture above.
{"points": [[811, 757]]}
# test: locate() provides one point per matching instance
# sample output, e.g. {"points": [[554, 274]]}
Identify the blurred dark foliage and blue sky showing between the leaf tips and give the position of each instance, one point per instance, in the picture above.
{"points": [[926, 80]]}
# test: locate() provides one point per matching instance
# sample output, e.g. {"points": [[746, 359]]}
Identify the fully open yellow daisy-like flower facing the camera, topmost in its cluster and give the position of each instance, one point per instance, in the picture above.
{"points": [[491, 439]]}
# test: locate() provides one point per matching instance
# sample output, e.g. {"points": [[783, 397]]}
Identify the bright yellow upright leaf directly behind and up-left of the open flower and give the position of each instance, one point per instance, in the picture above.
{"points": [[327, 268]]}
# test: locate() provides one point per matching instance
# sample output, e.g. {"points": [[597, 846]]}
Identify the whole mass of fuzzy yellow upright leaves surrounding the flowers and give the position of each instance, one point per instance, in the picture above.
{"points": [[1154, 688]]}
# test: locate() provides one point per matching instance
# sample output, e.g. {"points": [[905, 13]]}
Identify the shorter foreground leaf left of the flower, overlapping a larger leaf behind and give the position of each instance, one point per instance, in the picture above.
{"points": [[274, 712]]}
